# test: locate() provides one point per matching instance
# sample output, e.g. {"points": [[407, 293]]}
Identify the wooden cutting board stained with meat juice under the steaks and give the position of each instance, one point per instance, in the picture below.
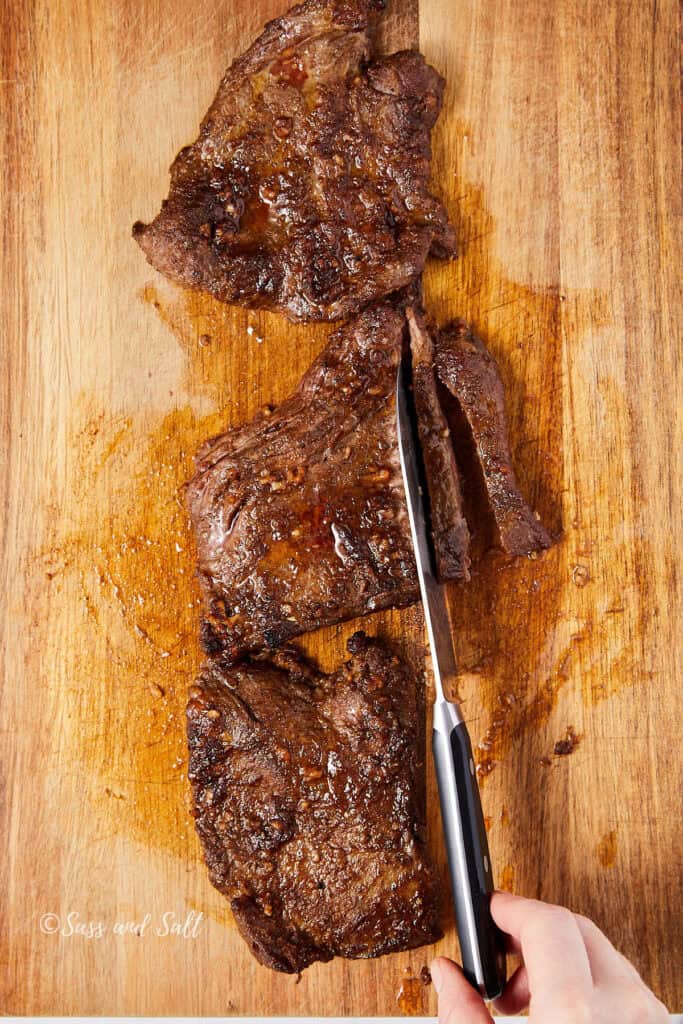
{"points": [[559, 154]]}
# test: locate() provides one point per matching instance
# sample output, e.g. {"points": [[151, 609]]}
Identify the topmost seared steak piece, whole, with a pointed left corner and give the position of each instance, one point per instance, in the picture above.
{"points": [[308, 191]]}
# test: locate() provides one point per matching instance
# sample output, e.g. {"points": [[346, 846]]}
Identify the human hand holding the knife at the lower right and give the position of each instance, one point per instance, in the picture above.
{"points": [[572, 973]]}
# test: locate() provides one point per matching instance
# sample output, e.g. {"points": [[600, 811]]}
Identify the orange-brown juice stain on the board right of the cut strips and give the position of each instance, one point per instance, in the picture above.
{"points": [[519, 646]]}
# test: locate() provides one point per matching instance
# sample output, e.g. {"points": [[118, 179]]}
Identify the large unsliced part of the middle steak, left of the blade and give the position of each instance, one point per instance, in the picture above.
{"points": [[301, 516]]}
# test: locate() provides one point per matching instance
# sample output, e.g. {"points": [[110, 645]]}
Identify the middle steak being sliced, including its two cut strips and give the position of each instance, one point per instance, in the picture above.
{"points": [[301, 515]]}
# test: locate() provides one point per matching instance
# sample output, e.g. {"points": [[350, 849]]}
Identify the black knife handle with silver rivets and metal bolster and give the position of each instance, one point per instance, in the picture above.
{"points": [[482, 944]]}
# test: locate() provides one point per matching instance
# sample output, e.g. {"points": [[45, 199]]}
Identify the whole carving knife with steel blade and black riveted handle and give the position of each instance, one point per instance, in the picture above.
{"points": [[482, 944]]}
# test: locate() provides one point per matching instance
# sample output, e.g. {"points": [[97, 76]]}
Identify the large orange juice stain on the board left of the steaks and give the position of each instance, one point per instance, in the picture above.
{"points": [[124, 556]]}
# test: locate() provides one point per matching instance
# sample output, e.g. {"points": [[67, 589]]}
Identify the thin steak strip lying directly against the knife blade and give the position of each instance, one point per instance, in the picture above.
{"points": [[449, 528]]}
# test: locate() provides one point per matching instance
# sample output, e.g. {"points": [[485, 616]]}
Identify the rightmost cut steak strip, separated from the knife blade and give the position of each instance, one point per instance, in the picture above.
{"points": [[471, 374]]}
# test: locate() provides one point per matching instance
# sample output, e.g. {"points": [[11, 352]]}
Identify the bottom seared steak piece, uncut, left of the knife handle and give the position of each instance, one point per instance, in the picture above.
{"points": [[309, 795]]}
